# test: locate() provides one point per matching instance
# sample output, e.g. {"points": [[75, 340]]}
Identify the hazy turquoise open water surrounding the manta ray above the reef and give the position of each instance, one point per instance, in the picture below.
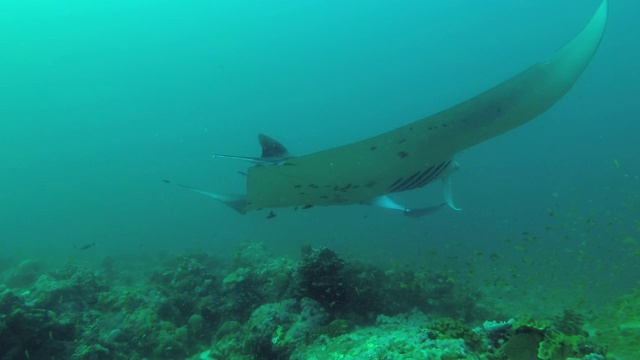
{"points": [[100, 101]]}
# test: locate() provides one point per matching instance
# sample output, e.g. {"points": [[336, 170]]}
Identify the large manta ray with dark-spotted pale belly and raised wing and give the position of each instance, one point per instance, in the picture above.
{"points": [[413, 155]]}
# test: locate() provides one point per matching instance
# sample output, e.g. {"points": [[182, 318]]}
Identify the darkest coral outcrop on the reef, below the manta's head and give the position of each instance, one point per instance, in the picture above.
{"points": [[359, 292]]}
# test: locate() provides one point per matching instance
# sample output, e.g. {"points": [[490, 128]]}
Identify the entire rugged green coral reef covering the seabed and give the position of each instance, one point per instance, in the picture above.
{"points": [[255, 306]]}
